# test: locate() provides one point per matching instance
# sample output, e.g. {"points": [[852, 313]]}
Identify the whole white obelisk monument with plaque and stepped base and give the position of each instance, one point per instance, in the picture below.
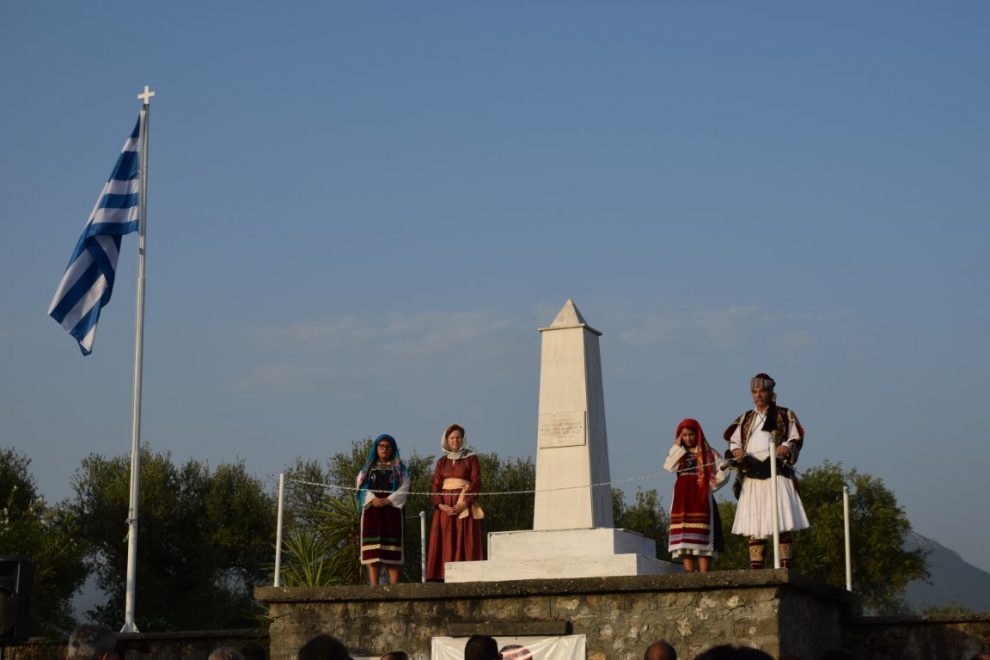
{"points": [[572, 533]]}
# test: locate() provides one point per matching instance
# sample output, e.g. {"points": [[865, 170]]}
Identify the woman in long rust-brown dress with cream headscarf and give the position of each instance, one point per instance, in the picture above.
{"points": [[455, 534]]}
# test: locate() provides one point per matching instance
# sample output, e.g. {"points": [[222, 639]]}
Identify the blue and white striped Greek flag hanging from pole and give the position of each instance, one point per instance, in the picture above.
{"points": [[88, 281]]}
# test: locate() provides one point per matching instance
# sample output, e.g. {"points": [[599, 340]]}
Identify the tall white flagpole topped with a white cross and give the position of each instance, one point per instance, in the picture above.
{"points": [[132, 511]]}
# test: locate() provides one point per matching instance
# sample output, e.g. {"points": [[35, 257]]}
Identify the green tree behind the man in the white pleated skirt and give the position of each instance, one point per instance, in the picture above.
{"points": [[881, 567]]}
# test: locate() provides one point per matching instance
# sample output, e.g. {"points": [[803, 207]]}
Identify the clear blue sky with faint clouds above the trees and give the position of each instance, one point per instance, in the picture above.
{"points": [[361, 213]]}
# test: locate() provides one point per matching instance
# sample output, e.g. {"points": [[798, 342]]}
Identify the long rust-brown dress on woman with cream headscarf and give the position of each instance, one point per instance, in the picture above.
{"points": [[453, 538]]}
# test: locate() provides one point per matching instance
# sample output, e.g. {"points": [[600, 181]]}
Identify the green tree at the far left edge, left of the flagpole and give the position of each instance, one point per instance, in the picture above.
{"points": [[47, 536]]}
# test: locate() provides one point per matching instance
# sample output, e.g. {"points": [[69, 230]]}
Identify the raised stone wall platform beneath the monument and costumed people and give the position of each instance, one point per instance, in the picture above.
{"points": [[620, 615]]}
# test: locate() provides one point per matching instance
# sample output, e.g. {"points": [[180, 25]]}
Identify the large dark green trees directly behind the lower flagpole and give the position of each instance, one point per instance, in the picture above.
{"points": [[204, 539]]}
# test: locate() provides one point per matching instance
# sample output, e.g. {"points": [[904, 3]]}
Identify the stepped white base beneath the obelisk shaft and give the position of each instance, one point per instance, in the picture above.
{"points": [[562, 553]]}
